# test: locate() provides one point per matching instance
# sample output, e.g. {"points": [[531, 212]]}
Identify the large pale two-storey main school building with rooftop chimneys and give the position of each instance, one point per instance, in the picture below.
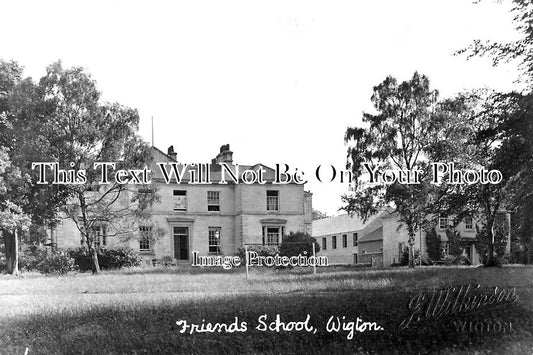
{"points": [[212, 219]]}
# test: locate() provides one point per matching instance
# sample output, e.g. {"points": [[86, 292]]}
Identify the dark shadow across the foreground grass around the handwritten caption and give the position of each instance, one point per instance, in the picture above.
{"points": [[152, 329]]}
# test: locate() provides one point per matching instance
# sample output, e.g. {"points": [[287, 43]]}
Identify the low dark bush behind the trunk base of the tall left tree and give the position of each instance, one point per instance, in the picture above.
{"points": [[108, 259]]}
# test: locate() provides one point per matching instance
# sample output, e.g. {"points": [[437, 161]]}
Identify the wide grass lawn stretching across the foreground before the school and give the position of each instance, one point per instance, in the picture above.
{"points": [[143, 310]]}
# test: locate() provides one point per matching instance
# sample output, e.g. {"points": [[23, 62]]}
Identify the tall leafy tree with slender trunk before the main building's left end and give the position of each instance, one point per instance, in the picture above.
{"points": [[81, 132]]}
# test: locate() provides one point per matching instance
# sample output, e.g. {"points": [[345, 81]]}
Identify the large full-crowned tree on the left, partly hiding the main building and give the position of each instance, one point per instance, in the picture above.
{"points": [[69, 125]]}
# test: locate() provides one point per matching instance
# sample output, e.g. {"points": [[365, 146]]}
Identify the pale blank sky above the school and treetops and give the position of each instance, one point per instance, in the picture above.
{"points": [[280, 81]]}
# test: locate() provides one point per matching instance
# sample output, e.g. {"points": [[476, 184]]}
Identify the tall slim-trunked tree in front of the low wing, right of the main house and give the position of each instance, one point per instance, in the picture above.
{"points": [[397, 137]]}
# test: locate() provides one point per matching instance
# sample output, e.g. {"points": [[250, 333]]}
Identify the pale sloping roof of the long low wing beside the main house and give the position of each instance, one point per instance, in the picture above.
{"points": [[342, 224]]}
